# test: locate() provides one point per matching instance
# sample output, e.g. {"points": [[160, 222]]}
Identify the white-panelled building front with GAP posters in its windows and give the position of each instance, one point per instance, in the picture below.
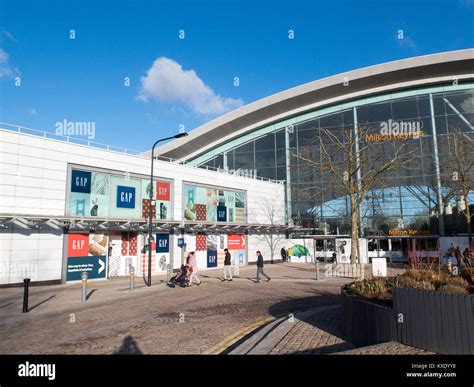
{"points": [[68, 208]]}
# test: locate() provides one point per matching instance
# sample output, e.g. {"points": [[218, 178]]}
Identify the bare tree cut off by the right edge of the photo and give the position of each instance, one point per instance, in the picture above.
{"points": [[458, 170]]}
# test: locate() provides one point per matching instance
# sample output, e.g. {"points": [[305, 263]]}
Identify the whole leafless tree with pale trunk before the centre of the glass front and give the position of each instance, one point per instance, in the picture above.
{"points": [[353, 161]]}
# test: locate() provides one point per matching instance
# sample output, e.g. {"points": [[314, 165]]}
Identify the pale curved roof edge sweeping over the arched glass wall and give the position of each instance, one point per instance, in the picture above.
{"points": [[386, 77]]}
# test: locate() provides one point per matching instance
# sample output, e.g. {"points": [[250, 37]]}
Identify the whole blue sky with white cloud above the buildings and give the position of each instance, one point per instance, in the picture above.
{"points": [[189, 81]]}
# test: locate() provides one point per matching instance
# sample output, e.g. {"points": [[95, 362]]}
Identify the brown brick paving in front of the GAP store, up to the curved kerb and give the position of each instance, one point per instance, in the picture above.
{"points": [[157, 320]]}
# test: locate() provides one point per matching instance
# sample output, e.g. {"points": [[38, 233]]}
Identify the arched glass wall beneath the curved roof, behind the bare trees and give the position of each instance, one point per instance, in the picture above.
{"points": [[405, 197]]}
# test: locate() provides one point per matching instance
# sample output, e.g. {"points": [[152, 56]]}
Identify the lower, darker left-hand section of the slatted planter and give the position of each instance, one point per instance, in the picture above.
{"points": [[366, 322]]}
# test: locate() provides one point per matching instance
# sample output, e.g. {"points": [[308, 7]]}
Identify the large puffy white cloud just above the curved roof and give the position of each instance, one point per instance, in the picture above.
{"points": [[166, 81]]}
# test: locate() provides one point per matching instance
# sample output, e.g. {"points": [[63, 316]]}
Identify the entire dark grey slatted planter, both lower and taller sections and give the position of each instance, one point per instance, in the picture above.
{"points": [[434, 321]]}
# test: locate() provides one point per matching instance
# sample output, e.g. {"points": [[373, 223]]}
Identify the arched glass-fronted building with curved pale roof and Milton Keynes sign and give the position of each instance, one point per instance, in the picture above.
{"points": [[420, 104]]}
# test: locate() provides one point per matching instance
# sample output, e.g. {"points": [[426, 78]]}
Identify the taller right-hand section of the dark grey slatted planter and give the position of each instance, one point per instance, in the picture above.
{"points": [[435, 321]]}
